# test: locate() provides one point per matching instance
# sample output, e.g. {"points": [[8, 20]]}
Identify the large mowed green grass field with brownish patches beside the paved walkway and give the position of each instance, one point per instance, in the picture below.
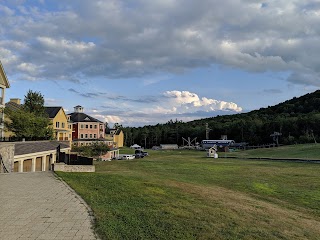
{"points": [[184, 195]]}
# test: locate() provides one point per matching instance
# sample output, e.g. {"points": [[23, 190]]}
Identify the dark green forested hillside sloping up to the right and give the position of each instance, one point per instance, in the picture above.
{"points": [[297, 119]]}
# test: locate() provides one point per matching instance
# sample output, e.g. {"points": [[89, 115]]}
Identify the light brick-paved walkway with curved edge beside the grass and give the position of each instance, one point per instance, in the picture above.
{"points": [[40, 206]]}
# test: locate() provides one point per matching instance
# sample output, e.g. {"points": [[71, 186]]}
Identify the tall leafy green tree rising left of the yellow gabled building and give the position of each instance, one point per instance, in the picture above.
{"points": [[34, 103]]}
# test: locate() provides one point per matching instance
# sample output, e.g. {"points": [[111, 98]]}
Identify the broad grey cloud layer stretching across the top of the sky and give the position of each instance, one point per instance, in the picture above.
{"points": [[89, 38]]}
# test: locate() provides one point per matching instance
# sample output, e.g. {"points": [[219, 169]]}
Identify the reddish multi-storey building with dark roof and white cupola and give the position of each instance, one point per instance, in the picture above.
{"points": [[86, 129]]}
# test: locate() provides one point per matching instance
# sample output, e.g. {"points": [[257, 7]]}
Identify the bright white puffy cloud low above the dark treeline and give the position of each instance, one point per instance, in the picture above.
{"points": [[182, 105]]}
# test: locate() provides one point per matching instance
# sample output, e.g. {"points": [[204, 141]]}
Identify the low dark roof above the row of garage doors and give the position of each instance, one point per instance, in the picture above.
{"points": [[22, 148]]}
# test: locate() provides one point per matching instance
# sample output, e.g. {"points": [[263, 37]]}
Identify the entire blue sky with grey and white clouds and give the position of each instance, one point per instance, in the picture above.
{"points": [[142, 62]]}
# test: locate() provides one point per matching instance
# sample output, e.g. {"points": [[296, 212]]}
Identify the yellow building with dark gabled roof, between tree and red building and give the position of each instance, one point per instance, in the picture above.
{"points": [[61, 128]]}
